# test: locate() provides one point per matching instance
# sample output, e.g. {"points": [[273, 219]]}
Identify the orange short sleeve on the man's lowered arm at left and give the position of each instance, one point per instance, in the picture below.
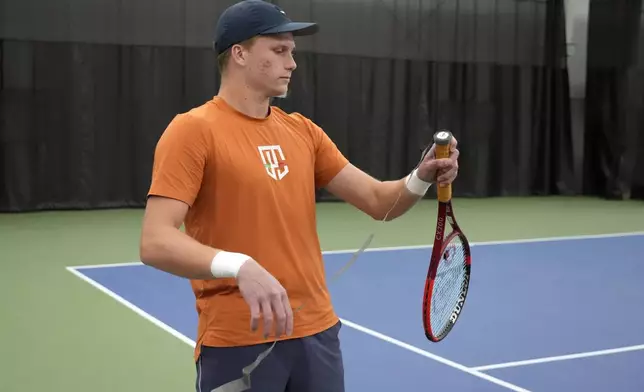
{"points": [[179, 160]]}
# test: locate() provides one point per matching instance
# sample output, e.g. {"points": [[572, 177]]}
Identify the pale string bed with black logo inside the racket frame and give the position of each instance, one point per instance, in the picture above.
{"points": [[448, 284]]}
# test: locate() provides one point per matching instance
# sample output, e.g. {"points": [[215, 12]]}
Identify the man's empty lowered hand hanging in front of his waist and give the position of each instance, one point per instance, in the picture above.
{"points": [[266, 297]]}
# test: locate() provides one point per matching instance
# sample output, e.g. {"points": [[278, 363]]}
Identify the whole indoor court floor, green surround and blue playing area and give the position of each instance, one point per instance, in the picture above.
{"points": [[556, 301]]}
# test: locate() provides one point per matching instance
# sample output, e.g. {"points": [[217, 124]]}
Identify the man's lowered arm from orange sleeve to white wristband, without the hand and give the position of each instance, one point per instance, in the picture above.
{"points": [[179, 162]]}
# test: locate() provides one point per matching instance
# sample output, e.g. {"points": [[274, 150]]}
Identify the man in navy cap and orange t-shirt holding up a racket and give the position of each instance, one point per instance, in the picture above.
{"points": [[242, 175]]}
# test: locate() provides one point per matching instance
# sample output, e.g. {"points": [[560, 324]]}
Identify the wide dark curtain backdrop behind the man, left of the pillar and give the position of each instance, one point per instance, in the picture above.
{"points": [[88, 86]]}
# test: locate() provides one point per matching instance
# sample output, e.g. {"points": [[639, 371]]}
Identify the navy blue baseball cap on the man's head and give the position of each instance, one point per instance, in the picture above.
{"points": [[250, 18]]}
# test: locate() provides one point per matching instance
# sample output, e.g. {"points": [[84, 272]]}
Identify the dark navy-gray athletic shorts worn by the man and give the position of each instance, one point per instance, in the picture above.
{"points": [[310, 364]]}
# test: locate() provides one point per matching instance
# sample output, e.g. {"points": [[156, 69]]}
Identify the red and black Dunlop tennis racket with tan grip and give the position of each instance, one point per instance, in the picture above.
{"points": [[448, 277]]}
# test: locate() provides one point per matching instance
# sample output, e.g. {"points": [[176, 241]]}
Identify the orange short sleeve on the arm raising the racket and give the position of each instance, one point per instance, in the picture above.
{"points": [[329, 160]]}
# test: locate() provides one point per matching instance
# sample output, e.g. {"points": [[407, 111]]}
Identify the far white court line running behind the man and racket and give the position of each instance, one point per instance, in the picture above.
{"points": [[412, 247]]}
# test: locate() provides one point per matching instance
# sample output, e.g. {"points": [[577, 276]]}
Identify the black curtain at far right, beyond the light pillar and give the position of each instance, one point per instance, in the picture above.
{"points": [[614, 140]]}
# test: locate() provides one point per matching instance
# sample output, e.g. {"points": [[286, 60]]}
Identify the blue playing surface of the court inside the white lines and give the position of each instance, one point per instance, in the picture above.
{"points": [[545, 315]]}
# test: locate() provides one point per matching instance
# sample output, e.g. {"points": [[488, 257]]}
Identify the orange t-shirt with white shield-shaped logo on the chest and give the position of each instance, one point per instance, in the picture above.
{"points": [[250, 184]]}
